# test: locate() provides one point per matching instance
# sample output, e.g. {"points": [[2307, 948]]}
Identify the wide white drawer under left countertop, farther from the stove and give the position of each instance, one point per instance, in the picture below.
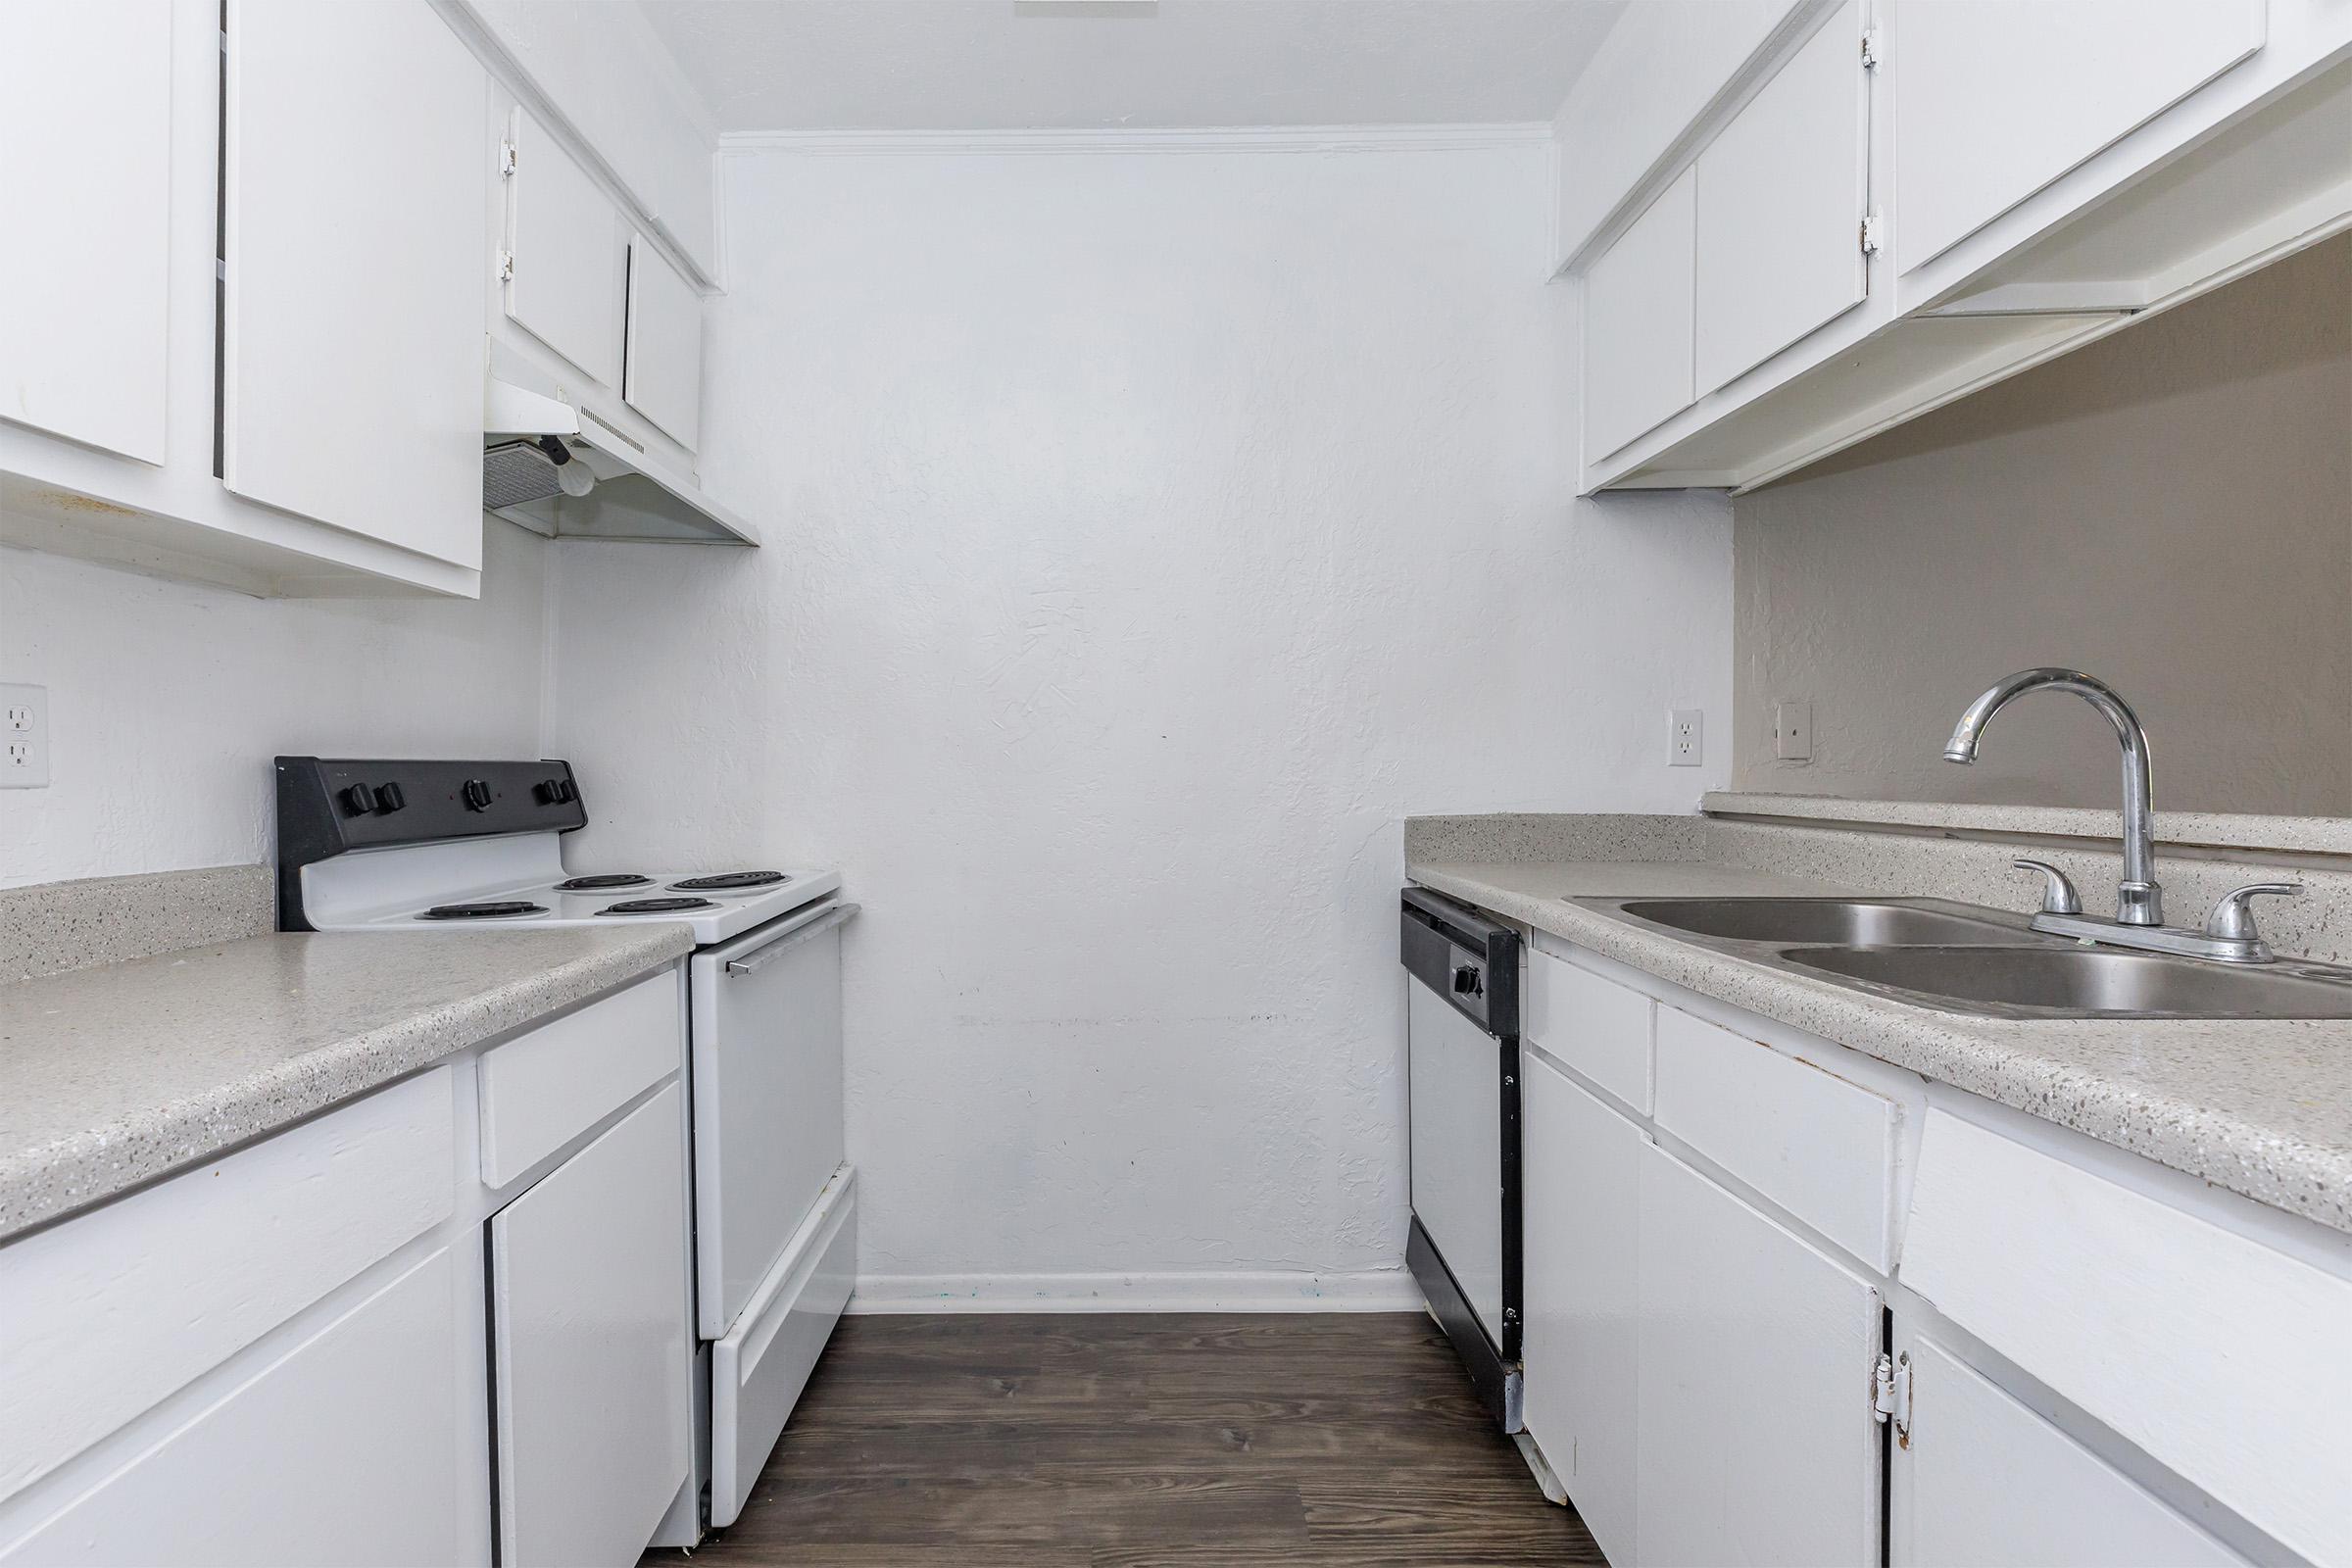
{"points": [[112, 1313]]}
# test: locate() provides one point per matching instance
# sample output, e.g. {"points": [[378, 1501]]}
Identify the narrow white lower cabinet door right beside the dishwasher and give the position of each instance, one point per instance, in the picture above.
{"points": [[1582, 1170]]}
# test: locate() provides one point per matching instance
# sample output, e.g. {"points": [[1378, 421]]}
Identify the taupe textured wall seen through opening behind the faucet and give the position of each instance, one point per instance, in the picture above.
{"points": [[2170, 509]]}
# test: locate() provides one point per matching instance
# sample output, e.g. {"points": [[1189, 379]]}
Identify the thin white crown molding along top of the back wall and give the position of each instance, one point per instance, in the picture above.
{"points": [[1132, 140]]}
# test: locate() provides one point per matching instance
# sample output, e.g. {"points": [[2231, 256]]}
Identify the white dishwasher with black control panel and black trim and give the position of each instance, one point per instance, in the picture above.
{"points": [[1462, 1052]]}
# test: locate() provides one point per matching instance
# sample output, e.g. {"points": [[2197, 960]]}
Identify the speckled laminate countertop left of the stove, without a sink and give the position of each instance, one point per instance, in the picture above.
{"points": [[116, 1076]]}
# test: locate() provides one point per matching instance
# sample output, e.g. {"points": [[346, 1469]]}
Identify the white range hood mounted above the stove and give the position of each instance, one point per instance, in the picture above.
{"points": [[537, 450]]}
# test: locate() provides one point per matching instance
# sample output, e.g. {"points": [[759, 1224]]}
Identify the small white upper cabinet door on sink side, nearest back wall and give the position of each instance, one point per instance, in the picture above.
{"points": [[1638, 326]]}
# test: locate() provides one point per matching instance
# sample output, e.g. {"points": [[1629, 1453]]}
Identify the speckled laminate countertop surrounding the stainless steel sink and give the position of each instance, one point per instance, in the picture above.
{"points": [[2261, 1108]]}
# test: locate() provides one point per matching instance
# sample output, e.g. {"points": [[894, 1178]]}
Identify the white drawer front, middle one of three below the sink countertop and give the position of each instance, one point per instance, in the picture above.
{"points": [[1798, 1134]]}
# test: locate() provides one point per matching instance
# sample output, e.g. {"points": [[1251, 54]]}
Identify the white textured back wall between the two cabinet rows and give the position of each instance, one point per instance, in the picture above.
{"points": [[1147, 537]]}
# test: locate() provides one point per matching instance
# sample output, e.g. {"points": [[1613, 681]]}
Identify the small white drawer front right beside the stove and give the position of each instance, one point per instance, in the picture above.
{"points": [[549, 1087]]}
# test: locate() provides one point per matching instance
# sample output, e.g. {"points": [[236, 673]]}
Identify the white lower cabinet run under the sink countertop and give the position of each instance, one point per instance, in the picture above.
{"points": [[2087, 1362]]}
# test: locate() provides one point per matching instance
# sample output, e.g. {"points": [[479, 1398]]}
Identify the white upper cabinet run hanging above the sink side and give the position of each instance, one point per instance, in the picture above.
{"points": [[1897, 203]]}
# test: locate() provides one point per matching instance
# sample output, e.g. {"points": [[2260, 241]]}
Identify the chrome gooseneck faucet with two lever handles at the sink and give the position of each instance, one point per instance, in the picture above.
{"points": [[2139, 902]]}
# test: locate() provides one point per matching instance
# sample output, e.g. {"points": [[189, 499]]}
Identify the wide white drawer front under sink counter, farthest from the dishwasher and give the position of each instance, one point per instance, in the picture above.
{"points": [[2217, 1355]]}
